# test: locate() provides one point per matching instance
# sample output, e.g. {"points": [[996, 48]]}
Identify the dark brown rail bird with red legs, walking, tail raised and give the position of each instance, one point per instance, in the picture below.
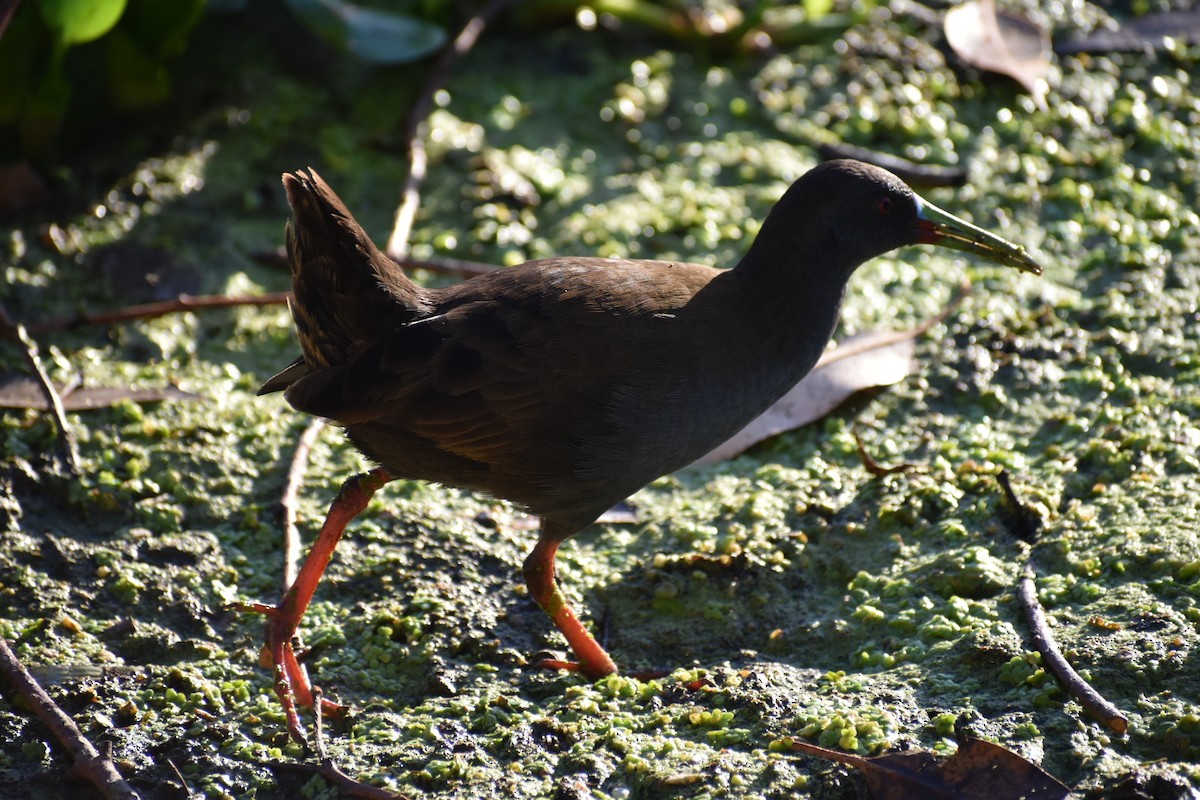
{"points": [[566, 386]]}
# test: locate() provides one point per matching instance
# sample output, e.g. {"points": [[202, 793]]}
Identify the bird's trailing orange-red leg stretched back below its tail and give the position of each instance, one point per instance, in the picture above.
{"points": [[292, 684]]}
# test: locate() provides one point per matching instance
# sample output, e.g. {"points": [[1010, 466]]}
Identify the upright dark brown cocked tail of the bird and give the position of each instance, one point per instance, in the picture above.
{"points": [[346, 293]]}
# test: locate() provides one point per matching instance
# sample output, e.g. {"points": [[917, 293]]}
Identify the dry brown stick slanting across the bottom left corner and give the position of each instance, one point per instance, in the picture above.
{"points": [[88, 762]]}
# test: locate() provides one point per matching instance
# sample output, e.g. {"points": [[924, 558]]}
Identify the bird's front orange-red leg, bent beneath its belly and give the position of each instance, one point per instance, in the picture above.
{"points": [[539, 574]]}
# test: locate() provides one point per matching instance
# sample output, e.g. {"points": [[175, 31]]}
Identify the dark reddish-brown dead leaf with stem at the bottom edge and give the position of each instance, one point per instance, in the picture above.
{"points": [[980, 771]]}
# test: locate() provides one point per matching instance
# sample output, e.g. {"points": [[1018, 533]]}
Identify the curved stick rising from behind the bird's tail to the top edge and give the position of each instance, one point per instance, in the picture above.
{"points": [[418, 121]]}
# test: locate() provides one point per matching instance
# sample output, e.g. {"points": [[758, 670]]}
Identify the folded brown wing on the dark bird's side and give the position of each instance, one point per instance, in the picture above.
{"points": [[519, 366]]}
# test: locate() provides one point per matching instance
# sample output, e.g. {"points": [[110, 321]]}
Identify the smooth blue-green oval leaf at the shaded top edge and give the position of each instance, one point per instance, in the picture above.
{"points": [[373, 35]]}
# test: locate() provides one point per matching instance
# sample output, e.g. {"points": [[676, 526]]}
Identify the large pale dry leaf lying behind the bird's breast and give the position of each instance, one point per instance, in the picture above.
{"points": [[862, 362]]}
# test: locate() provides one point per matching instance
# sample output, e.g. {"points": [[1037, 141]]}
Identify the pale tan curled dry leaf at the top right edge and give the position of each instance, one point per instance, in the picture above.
{"points": [[1004, 43]]}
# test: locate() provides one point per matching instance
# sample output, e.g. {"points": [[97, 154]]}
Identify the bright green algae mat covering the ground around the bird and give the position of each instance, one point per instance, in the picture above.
{"points": [[795, 593]]}
